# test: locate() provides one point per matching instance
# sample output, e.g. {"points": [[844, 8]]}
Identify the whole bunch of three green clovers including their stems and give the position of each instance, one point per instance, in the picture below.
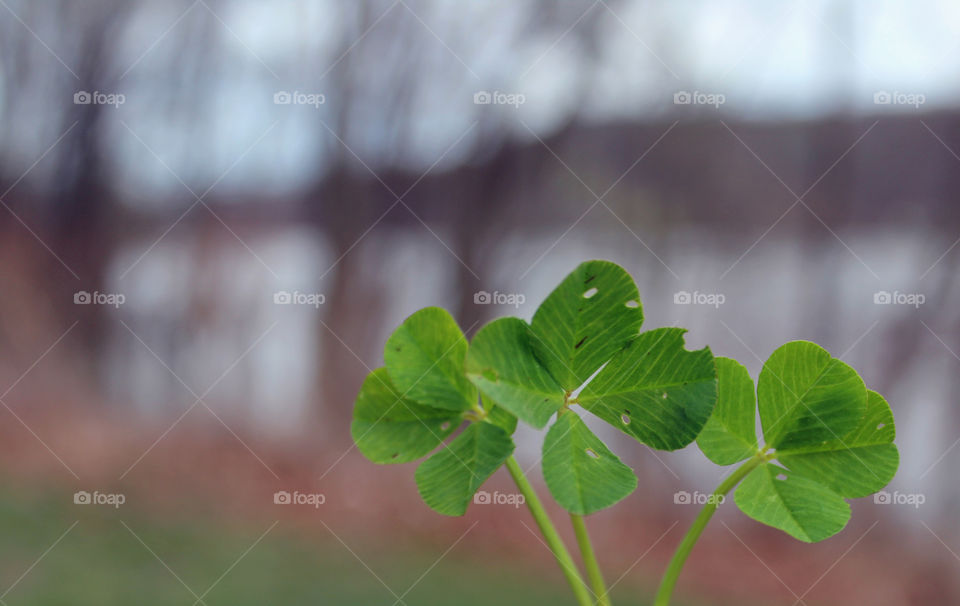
{"points": [[827, 438]]}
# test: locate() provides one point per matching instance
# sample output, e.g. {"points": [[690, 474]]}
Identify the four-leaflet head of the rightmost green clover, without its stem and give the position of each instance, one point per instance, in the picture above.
{"points": [[832, 436]]}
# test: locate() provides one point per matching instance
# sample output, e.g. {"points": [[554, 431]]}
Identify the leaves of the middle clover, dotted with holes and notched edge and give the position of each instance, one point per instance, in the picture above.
{"points": [[585, 339]]}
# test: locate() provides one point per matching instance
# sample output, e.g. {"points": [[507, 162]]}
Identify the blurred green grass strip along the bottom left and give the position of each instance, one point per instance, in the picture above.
{"points": [[101, 562]]}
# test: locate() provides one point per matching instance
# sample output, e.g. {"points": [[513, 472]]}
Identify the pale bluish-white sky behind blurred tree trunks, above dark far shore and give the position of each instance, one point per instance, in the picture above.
{"points": [[769, 61]]}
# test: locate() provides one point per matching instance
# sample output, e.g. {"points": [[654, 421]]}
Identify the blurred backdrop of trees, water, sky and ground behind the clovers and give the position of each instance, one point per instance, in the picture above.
{"points": [[215, 212]]}
